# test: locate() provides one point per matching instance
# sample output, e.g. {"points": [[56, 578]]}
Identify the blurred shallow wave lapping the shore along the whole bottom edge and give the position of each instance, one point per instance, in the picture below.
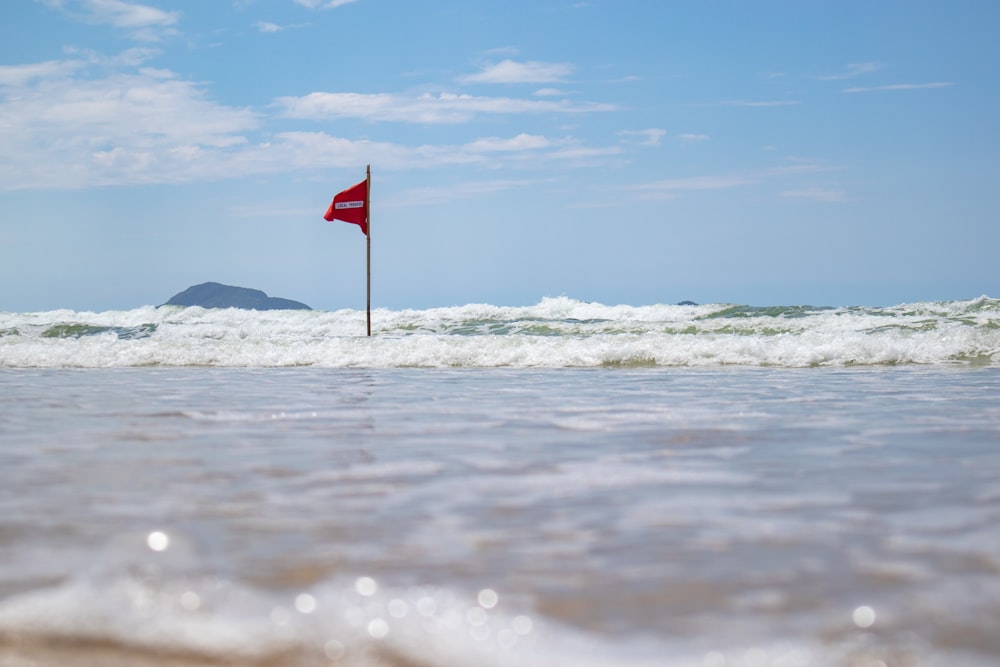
{"points": [[130, 609]]}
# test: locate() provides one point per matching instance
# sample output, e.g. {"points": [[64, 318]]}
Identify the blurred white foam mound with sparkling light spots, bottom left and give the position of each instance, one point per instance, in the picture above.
{"points": [[148, 617]]}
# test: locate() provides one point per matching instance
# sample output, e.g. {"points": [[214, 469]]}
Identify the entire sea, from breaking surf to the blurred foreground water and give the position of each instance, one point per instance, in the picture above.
{"points": [[566, 484]]}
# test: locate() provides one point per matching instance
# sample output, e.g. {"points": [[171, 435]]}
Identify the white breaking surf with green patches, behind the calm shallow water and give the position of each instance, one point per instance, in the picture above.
{"points": [[556, 332]]}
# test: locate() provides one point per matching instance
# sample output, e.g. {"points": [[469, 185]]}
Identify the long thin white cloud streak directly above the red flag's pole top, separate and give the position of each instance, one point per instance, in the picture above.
{"points": [[425, 108]]}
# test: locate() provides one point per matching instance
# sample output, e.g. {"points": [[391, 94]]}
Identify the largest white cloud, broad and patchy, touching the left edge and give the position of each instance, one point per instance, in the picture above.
{"points": [[138, 127]]}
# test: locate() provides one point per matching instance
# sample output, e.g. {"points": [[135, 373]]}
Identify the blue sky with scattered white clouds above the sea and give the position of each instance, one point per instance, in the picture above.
{"points": [[623, 151]]}
